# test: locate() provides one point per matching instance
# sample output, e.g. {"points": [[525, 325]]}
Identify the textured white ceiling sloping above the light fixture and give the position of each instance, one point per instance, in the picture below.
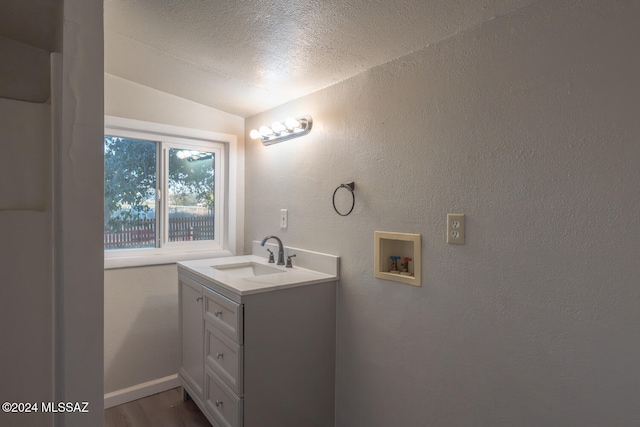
{"points": [[246, 56]]}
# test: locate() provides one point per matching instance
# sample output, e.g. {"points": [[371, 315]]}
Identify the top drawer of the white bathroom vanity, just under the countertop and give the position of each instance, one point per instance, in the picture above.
{"points": [[224, 314]]}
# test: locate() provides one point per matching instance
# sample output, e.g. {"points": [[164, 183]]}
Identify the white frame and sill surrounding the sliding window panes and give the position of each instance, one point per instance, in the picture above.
{"points": [[225, 148]]}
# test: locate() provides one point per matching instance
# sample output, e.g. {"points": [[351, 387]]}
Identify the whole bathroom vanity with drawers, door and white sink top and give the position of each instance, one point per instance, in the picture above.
{"points": [[258, 340]]}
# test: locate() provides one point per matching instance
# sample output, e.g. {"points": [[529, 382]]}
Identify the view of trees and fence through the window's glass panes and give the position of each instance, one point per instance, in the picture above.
{"points": [[135, 170]]}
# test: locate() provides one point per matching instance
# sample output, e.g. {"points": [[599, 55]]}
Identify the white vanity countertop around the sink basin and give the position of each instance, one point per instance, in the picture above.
{"points": [[288, 278]]}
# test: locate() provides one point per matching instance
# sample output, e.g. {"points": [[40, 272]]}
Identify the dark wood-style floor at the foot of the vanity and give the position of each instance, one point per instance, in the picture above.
{"points": [[160, 410]]}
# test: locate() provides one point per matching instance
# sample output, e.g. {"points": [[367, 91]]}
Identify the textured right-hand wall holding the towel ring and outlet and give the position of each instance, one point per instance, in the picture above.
{"points": [[528, 125]]}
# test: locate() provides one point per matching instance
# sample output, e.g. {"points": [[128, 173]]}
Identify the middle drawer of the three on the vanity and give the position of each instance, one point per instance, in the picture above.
{"points": [[224, 357]]}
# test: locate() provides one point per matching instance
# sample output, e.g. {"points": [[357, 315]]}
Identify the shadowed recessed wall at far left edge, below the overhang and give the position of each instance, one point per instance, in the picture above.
{"points": [[26, 294]]}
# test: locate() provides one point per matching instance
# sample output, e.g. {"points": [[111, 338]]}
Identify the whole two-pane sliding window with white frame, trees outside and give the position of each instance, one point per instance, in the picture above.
{"points": [[164, 192]]}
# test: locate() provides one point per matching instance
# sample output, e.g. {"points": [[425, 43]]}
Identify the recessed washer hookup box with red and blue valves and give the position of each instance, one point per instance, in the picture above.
{"points": [[389, 246]]}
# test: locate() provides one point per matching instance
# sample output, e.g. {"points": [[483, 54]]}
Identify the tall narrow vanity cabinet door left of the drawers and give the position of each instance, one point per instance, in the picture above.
{"points": [[192, 335]]}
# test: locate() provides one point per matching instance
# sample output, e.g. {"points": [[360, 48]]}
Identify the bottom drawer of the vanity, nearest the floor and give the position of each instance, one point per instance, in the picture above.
{"points": [[225, 406]]}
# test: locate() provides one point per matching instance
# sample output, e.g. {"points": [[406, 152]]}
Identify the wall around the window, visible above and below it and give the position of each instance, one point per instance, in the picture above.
{"points": [[141, 304]]}
